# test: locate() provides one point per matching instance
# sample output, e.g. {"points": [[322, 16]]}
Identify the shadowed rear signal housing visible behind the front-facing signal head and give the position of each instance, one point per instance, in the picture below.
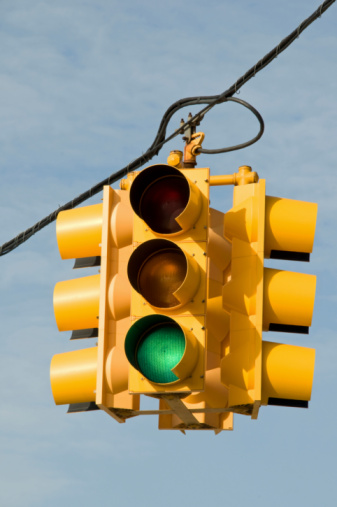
{"points": [[210, 406]]}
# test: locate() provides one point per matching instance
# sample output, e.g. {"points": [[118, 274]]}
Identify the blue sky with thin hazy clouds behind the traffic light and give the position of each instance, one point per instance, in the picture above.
{"points": [[83, 86]]}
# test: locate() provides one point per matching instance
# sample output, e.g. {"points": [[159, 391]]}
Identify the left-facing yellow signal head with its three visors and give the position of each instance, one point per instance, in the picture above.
{"points": [[95, 306]]}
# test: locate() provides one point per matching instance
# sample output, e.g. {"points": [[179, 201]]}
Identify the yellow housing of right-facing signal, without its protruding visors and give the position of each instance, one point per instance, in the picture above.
{"points": [[243, 296]]}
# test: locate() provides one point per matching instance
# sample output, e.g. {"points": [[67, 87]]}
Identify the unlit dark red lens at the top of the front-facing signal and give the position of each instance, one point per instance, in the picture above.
{"points": [[163, 201]]}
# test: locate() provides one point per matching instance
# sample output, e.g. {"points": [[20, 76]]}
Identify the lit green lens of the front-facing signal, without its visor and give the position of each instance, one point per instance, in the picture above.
{"points": [[160, 350]]}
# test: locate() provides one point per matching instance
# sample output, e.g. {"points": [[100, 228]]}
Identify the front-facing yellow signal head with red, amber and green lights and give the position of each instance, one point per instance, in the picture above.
{"points": [[165, 344]]}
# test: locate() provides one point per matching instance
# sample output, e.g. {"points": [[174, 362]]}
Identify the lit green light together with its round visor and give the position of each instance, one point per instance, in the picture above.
{"points": [[154, 345]]}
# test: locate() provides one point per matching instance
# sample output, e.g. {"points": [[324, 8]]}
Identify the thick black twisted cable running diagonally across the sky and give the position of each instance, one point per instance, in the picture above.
{"points": [[160, 138]]}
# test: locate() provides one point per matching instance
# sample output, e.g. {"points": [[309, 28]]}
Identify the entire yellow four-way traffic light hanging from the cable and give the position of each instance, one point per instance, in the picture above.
{"points": [[183, 297]]}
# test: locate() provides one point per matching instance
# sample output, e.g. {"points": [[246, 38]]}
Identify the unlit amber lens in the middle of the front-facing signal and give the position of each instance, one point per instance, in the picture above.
{"points": [[161, 275]]}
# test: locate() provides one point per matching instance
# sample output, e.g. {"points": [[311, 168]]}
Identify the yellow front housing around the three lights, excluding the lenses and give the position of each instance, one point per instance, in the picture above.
{"points": [[191, 294]]}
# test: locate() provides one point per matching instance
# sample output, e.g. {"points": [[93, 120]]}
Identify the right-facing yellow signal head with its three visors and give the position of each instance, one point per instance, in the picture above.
{"points": [[258, 298]]}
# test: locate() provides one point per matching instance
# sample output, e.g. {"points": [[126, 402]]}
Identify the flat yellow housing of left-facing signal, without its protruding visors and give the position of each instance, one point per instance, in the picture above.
{"points": [[114, 310]]}
